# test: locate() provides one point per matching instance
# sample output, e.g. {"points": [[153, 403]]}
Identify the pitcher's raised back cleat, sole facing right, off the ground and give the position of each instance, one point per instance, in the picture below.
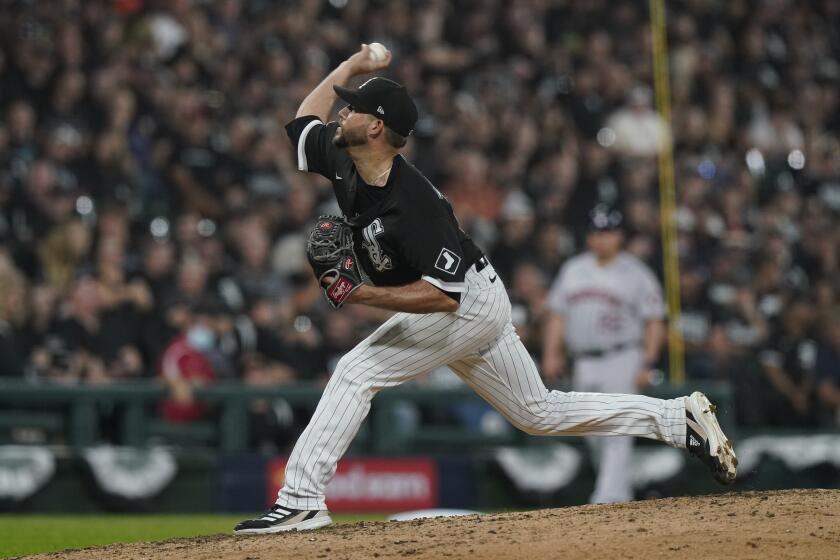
{"points": [[705, 440]]}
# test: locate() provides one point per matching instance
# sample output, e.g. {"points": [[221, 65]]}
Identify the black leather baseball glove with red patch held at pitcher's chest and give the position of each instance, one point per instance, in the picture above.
{"points": [[330, 252]]}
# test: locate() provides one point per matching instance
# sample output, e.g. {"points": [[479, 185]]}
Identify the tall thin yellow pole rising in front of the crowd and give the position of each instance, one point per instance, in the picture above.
{"points": [[667, 195]]}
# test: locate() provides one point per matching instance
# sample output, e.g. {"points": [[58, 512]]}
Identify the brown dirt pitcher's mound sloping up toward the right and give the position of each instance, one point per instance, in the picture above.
{"points": [[761, 525]]}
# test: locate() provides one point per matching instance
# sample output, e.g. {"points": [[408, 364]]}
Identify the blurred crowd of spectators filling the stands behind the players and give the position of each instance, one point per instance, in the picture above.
{"points": [[151, 215]]}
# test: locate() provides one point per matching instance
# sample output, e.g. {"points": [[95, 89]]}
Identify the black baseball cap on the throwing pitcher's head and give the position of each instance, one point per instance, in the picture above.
{"points": [[384, 99]]}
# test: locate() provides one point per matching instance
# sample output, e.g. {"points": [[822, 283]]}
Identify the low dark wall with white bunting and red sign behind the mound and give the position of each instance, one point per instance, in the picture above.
{"points": [[555, 474]]}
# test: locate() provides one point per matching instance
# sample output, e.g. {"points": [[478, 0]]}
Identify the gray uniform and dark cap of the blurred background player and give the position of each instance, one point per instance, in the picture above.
{"points": [[606, 309]]}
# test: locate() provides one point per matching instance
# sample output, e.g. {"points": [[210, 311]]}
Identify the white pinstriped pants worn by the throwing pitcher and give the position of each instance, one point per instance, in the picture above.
{"points": [[478, 342]]}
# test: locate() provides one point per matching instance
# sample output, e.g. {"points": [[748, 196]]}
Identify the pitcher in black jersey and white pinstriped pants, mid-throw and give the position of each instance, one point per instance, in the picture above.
{"points": [[407, 236]]}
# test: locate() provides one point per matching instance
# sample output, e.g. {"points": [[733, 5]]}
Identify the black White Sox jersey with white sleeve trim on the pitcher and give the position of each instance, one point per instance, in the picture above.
{"points": [[403, 231]]}
